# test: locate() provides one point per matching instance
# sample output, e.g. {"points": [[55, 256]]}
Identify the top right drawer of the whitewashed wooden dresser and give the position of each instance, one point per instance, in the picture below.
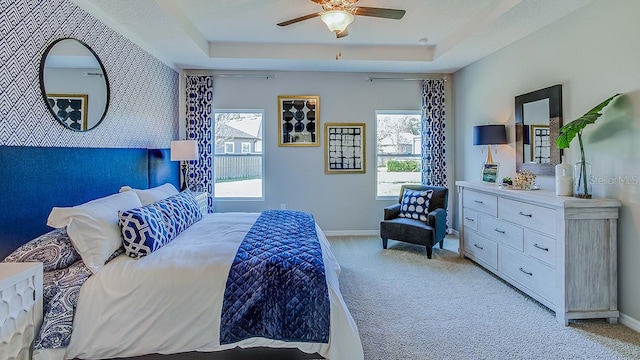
{"points": [[531, 216]]}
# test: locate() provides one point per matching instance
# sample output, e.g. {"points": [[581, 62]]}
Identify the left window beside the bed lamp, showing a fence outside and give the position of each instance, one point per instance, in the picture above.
{"points": [[238, 176]]}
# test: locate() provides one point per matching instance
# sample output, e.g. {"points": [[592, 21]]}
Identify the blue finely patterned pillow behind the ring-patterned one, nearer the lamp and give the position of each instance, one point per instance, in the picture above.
{"points": [[179, 212]]}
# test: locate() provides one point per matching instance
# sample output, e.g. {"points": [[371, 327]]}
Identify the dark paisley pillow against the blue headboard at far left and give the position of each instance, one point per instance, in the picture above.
{"points": [[53, 249]]}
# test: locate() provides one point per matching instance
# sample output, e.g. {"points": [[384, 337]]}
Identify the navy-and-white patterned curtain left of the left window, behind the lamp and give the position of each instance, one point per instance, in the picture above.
{"points": [[199, 101]]}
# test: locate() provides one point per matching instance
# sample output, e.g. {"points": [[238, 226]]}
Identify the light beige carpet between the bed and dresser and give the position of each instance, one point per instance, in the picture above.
{"points": [[409, 307]]}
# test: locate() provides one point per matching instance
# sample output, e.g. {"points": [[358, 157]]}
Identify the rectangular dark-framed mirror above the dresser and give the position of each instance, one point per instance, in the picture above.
{"points": [[538, 118]]}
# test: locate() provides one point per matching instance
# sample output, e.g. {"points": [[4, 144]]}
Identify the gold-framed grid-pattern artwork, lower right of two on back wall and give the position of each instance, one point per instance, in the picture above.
{"points": [[344, 148]]}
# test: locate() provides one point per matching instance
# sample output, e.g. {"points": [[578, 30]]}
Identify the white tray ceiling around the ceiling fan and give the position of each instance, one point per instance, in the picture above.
{"points": [[242, 35]]}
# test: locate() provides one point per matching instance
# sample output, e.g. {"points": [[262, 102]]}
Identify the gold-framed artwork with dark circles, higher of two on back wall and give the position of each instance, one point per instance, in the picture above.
{"points": [[298, 120]]}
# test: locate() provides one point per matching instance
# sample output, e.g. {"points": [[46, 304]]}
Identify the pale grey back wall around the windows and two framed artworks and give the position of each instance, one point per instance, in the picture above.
{"points": [[295, 175]]}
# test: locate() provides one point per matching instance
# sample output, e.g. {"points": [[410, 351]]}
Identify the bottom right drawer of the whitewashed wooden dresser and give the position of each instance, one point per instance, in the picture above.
{"points": [[529, 272]]}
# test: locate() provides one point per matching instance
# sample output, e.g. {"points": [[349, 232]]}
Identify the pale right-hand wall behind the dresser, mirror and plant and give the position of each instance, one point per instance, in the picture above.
{"points": [[594, 54]]}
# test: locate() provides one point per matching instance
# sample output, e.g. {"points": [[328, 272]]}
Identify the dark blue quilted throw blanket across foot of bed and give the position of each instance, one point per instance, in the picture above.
{"points": [[276, 287]]}
